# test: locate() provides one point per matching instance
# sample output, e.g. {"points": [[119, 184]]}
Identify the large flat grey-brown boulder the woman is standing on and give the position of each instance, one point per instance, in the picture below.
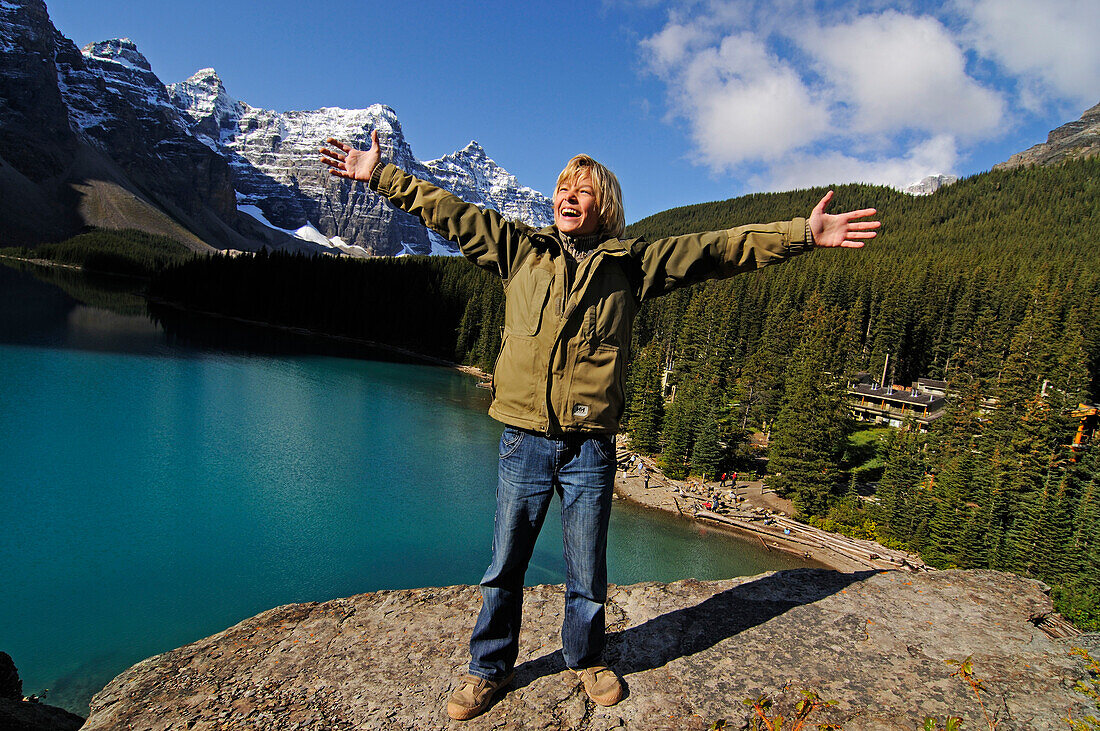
{"points": [[878, 645]]}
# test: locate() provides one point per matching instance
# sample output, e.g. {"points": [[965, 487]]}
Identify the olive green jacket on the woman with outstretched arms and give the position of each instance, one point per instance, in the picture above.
{"points": [[566, 345]]}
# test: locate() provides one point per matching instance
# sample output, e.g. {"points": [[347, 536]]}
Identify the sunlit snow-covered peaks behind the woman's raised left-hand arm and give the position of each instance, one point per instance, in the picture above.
{"points": [[276, 168]]}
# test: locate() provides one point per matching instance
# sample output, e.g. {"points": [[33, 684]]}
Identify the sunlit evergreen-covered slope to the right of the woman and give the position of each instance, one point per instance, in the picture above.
{"points": [[992, 285]]}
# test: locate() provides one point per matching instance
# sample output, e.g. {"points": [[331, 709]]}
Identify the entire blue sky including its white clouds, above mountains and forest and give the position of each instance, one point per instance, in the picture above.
{"points": [[687, 102]]}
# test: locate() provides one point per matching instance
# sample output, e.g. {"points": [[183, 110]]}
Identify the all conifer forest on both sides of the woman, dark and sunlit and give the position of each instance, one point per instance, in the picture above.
{"points": [[992, 285]]}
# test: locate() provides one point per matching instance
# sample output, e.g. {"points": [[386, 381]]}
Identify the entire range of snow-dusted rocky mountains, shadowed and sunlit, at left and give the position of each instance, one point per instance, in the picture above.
{"points": [[92, 138]]}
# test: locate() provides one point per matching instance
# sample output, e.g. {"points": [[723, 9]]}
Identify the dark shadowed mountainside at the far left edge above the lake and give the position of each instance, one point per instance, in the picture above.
{"points": [[91, 139]]}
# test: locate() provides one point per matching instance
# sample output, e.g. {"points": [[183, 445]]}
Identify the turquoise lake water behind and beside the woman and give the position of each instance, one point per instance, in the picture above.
{"points": [[163, 481]]}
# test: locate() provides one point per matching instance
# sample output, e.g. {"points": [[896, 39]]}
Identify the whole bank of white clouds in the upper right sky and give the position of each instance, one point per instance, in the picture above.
{"points": [[797, 93]]}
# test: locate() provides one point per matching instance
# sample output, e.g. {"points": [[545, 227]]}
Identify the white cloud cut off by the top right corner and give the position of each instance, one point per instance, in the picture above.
{"points": [[1052, 46]]}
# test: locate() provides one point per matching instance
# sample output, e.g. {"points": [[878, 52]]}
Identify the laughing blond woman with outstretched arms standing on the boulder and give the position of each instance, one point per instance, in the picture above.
{"points": [[571, 294]]}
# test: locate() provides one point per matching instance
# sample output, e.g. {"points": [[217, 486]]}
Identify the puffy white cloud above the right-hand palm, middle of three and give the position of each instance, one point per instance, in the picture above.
{"points": [[895, 72]]}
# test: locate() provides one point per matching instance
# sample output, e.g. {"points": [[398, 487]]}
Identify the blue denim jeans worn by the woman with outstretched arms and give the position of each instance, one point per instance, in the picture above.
{"points": [[533, 468]]}
